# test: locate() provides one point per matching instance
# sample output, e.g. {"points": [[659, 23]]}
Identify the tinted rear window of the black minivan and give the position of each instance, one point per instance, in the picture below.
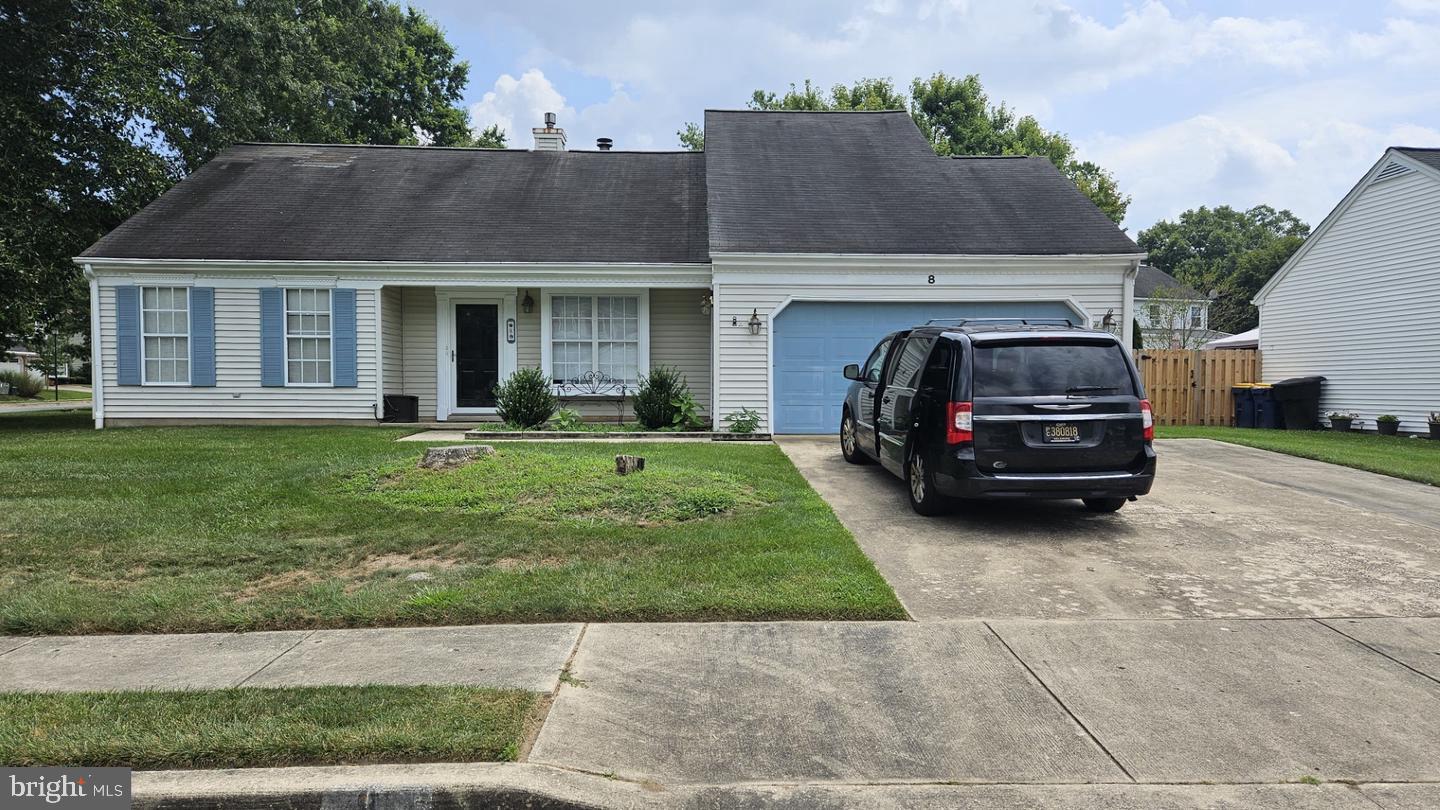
{"points": [[1050, 368]]}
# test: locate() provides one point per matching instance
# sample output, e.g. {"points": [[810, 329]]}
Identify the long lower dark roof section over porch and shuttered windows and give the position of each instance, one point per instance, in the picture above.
{"points": [[420, 204]]}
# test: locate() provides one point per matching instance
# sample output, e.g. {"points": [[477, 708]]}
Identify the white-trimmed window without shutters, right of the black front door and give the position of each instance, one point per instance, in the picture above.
{"points": [[595, 334]]}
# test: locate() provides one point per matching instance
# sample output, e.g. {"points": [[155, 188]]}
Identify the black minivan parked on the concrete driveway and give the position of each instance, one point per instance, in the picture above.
{"points": [[1003, 409]]}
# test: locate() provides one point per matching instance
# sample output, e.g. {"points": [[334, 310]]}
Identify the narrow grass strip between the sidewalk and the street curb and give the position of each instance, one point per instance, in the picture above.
{"points": [[238, 729]]}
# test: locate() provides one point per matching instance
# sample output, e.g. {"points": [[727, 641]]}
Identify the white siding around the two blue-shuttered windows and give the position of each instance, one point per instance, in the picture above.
{"points": [[238, 394]]}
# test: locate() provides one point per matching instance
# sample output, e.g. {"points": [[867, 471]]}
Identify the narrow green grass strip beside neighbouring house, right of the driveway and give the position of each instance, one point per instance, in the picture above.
{"points": [[1403, 458]]}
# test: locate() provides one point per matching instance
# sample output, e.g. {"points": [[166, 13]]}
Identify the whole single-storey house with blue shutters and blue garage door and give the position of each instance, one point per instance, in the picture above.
{"points": [[297, 282]]}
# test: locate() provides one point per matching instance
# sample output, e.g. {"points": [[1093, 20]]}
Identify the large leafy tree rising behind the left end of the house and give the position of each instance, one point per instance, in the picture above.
{"points": [[107, 103]]}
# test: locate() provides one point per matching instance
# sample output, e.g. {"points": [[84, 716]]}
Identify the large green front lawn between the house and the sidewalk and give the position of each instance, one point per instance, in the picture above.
{"points": [[189, 530]]}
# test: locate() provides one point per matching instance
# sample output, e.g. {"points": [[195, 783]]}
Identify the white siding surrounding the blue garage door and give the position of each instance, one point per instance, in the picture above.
{"points": [[744, 360]]}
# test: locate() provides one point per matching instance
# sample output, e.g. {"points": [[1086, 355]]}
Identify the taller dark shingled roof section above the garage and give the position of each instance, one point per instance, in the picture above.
{"points": [[870, 184]]}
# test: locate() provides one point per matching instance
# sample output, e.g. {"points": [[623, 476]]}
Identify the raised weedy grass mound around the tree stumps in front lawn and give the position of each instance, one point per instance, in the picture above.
{"points": [[571, 484]]}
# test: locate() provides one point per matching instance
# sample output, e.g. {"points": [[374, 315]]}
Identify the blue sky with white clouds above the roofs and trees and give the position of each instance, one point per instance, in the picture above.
{"points": [[1187, 103]]}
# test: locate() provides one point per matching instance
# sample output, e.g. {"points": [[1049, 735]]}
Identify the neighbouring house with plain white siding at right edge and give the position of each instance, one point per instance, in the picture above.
{"points": [[1357, 303]]}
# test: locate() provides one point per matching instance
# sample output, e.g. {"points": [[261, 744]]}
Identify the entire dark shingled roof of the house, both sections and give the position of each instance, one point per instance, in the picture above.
{"points": [[768, 182]]}
